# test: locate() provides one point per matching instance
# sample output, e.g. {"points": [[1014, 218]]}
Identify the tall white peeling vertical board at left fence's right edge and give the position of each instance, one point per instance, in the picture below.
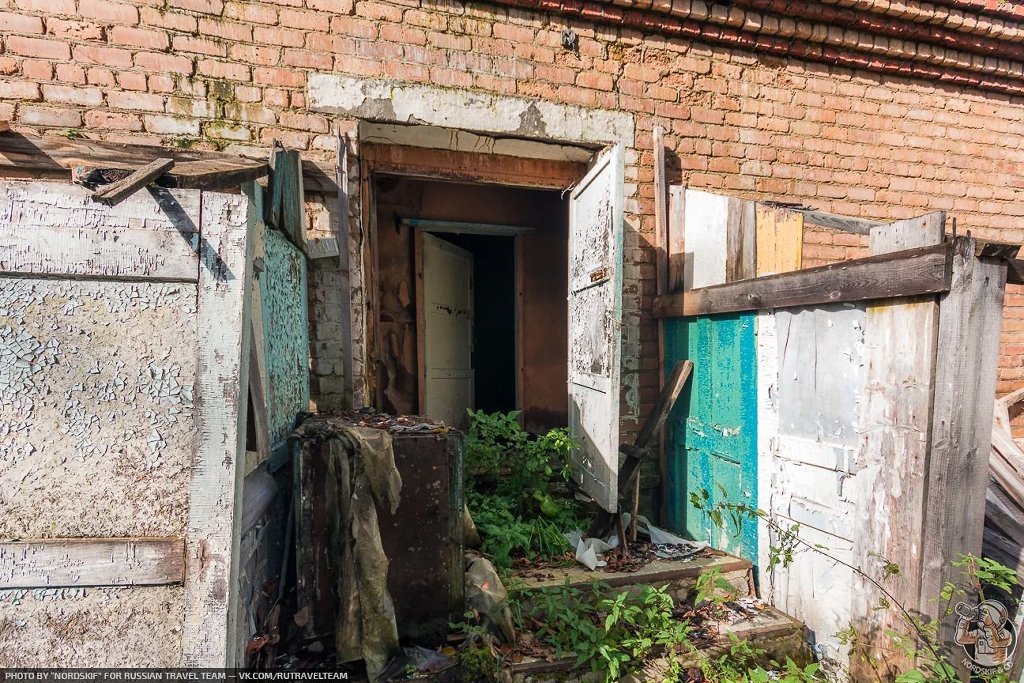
{"points": [[216, 491]]}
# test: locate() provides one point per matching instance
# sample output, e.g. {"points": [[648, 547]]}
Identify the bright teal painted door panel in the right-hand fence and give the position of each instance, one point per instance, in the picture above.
{"points": [[711, 437]]}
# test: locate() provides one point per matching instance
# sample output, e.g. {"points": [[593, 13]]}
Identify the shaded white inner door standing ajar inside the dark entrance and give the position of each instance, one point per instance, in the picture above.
{"points": [[448, 331]]}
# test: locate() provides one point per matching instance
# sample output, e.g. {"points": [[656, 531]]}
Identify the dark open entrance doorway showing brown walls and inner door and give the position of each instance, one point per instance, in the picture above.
{"points": [[473, 289]]}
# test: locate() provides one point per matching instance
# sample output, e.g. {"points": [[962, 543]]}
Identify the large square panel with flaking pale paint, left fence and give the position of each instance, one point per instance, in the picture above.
{"points": [[97, 408]]}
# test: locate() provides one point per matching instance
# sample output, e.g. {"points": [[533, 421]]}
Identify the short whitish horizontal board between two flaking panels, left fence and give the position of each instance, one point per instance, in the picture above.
{"points": [[83, 563]]}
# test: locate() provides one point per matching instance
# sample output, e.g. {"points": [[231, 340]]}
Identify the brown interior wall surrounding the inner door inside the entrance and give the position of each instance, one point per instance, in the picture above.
{"points": [[543, 280]]}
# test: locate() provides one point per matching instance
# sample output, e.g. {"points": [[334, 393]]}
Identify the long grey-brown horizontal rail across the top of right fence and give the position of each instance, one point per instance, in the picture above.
{"points": [[909, 273]]}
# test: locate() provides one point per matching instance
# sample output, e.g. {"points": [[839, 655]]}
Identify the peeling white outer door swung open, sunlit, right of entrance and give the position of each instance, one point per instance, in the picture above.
{"points": [[595, 324]]}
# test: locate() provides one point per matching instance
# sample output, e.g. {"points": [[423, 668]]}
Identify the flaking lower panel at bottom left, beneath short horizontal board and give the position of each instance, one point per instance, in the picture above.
{"points": [[92, 627]]}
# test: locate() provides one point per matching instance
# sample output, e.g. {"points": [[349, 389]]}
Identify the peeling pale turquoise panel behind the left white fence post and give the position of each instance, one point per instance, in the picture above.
{"points": [[283, 289]]}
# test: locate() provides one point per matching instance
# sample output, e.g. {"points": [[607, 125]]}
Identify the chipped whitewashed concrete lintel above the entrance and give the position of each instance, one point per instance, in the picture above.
{"points": [[400, 103]]}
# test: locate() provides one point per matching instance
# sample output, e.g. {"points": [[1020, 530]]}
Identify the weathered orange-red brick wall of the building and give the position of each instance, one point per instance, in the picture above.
{"points": [[232, 75]]}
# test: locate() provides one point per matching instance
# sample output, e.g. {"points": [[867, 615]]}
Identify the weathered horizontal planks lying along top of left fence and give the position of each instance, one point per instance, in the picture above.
{"points": [[55, 156]]}
